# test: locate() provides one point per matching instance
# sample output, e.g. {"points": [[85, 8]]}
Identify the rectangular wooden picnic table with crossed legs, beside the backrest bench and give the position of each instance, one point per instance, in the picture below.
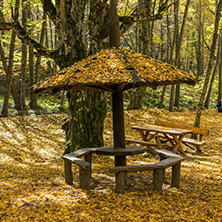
{"points": [[172, 135]]}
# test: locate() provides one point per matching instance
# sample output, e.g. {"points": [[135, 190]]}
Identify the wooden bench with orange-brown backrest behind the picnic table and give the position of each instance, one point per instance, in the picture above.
{"points": [[189, 142]]}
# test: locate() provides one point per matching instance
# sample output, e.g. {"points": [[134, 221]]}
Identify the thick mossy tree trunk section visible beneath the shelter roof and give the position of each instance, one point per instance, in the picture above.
{"points": [[85, 126]]}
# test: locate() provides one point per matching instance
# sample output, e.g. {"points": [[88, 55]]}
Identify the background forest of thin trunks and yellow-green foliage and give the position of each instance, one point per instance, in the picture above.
{"points": [[177, 32]]}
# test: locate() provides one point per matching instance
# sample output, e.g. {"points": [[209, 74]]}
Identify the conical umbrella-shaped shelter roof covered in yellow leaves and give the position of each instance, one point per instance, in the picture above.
{"points": [[113, 67]]}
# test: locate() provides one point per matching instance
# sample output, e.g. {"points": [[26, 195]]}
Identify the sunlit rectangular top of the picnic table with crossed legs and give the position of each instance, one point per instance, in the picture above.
{"points": [[160, 129]]}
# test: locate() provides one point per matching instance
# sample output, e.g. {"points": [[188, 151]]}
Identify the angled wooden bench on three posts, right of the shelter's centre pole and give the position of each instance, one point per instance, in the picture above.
{"points": [[168, 159]]}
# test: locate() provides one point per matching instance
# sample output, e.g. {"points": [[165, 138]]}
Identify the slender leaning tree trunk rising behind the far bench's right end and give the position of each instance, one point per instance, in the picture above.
{"points": [[209, 68]]}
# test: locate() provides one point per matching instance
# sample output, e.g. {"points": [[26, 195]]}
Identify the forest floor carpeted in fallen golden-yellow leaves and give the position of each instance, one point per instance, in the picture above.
{"points": [[32, 186]]}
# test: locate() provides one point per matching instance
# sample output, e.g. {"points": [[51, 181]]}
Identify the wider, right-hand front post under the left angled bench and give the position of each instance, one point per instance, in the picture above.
{"points": [[84, 177]]}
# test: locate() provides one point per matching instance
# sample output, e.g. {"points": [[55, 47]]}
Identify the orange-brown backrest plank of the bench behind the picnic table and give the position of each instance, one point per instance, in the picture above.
{"points": [[175, 125]]}
